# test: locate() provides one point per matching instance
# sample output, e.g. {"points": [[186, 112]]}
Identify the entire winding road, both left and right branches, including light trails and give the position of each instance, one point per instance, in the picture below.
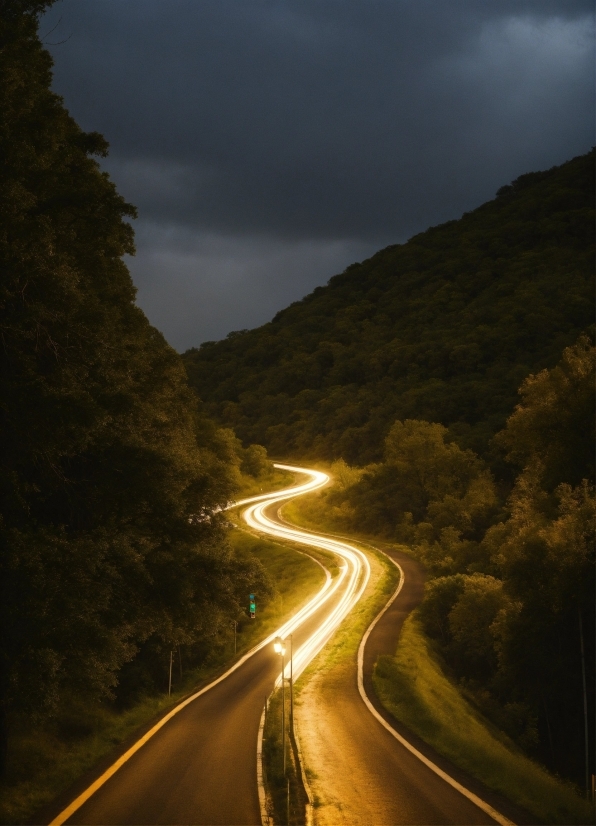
{"points": [[198, 765]]}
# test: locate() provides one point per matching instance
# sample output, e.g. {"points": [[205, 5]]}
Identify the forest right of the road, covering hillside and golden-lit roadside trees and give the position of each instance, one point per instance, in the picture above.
{"points": [[406, 371]]}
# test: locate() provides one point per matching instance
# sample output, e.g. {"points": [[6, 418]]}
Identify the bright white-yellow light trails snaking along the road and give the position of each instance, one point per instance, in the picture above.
{"points": [[356, 569]]}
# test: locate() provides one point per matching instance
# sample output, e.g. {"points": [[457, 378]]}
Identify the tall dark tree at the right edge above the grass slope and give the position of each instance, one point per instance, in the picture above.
{"points": [[545, 555]]}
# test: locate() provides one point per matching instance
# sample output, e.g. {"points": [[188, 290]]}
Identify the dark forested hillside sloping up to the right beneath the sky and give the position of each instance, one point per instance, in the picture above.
{"points": [[444, 328]]}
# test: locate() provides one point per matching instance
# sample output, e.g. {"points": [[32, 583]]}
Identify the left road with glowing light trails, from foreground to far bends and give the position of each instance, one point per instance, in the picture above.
{"points": [[198, 764]]}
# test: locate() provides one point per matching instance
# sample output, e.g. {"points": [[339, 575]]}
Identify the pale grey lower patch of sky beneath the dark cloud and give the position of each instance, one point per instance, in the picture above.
{"points": [[195, 282]]}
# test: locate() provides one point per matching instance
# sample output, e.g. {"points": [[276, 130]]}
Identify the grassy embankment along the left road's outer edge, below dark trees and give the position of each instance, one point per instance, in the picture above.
{"points": [[45, 760]]}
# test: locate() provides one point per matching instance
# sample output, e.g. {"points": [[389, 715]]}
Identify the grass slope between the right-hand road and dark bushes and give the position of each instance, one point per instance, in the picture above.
{"points": [[414, 688]]}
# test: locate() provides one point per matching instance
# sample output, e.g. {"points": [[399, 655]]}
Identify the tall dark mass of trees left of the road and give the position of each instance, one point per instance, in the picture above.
{"points": [[113, 547]]}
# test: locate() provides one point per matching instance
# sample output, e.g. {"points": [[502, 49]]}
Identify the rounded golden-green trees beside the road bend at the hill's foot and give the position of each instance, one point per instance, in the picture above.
{"points": [[426, 490]]}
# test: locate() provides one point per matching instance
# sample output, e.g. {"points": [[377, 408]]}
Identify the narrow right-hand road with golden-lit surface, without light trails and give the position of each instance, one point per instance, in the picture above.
{"points": [[363, 775]]}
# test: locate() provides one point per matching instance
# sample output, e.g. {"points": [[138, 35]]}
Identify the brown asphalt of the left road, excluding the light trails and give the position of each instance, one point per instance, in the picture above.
{"points": [[200, 768]]}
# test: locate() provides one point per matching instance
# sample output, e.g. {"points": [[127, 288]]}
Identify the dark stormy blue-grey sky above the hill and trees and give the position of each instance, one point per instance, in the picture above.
{"points": [[268, 144]]}
